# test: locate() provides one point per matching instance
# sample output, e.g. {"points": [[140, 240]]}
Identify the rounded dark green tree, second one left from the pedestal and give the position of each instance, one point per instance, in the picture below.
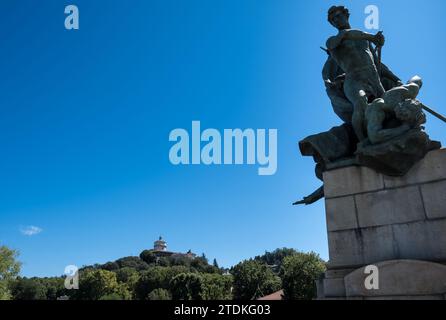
{"points": [[253, 279]]}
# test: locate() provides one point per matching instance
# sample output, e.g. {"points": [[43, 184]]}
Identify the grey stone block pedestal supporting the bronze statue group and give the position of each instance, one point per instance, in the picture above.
{"points": [[396, 224]]}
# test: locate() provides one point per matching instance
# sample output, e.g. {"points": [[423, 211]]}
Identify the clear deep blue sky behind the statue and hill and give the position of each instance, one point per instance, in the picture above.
{"points": [[85, 117]]}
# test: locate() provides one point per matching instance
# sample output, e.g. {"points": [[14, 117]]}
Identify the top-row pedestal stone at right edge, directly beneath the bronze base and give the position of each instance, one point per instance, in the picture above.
{"points": [[431, 168]]}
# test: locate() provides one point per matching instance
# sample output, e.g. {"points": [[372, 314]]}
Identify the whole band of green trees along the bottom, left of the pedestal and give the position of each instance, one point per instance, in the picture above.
{"points": [[154, 276]]}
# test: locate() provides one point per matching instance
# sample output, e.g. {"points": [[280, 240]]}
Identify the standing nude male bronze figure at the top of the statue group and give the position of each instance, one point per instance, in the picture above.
{"points": [[352, 51]]}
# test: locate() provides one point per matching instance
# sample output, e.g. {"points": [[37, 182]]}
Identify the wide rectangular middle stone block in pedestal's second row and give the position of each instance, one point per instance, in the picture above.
{"points": [[390, 206]]}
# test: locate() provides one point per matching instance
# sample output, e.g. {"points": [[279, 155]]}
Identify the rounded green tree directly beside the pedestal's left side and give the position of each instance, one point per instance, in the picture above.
{"points": [[299, 273]]}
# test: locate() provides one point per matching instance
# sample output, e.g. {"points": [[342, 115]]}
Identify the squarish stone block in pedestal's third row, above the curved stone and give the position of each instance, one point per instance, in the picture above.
{"points": [[377, 244]]}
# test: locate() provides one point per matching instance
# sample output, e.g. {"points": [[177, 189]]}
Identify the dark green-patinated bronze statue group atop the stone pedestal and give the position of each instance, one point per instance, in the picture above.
{"points": [[382, 117]]}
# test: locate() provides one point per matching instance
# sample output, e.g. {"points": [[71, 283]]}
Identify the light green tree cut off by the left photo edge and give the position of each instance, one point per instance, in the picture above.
{"points": [[9, 269]]}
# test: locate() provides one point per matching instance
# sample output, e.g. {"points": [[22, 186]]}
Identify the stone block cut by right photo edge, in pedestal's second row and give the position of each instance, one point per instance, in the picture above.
{"points": [[434, 196]]}
